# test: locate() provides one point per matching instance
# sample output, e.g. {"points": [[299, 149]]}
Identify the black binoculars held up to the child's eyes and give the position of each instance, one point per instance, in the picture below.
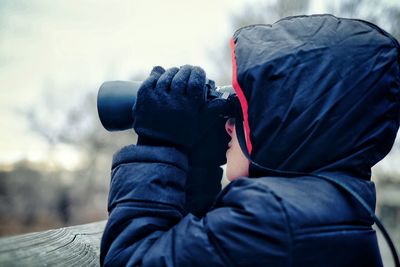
{"points": [[116, 99]]}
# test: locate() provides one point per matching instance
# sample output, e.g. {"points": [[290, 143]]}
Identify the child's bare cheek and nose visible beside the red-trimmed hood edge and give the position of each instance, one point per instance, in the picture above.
{"points": [[237, 164]]}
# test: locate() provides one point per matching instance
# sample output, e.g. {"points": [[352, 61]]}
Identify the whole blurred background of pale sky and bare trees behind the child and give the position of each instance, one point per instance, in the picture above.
{"points": [[54, 154]]}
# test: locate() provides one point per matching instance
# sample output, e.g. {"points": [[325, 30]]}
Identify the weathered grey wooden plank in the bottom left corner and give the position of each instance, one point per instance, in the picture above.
{"points": [[70, 246]]}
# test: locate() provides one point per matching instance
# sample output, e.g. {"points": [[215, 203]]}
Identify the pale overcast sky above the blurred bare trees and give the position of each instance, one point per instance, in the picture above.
{"points": [[53, 52]]}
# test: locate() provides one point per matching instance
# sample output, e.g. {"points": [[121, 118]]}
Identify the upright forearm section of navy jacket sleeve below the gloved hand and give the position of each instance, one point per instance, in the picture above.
{"points": [[148, 174]]}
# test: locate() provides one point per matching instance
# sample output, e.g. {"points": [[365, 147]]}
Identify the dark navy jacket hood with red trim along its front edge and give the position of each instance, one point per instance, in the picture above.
{"points": [[318, 93]]}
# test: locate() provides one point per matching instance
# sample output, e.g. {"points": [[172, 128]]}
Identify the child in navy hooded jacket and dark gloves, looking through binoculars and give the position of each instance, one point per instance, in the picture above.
{"points": [[319, 97]]}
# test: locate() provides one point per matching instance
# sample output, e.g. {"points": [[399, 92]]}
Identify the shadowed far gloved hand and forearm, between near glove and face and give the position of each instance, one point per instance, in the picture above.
{"points": [[205, 158]]}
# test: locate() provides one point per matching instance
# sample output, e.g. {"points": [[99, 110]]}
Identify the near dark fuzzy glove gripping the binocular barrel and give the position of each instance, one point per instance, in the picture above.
{"points": [[169, 107]]}
